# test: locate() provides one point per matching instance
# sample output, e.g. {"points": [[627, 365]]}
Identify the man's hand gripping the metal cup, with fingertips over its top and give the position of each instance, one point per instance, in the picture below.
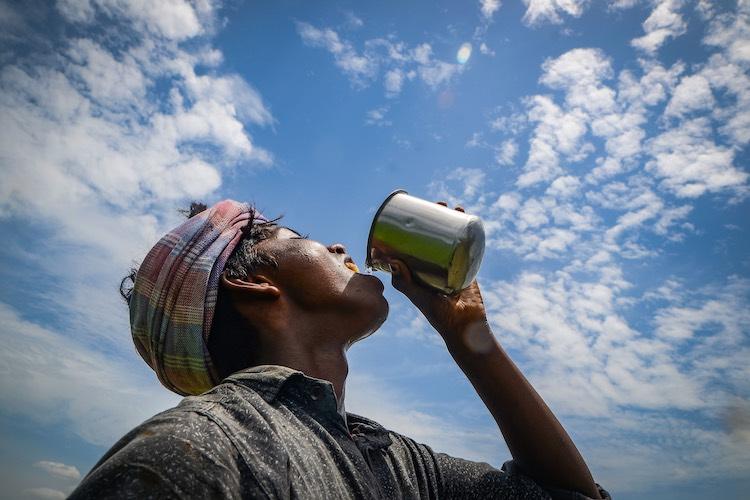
{"points": [[450, 315]]}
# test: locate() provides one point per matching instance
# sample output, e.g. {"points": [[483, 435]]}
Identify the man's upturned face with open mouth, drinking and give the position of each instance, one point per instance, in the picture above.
{"points": [[319, 278]]}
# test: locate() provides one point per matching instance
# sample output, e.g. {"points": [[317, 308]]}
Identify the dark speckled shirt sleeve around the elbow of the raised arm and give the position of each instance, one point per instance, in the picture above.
{"points": [[468, 479]]}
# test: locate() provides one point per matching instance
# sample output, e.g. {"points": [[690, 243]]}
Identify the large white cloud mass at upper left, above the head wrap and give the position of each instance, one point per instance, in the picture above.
{"points": [[89, 138]]}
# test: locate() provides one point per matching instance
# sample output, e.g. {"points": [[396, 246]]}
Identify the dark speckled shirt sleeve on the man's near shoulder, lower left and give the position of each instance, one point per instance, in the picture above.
{"points": [[174, 455]]}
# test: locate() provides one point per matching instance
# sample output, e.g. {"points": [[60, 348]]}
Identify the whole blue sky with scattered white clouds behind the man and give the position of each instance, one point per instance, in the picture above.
{"points": [[604, 144]]}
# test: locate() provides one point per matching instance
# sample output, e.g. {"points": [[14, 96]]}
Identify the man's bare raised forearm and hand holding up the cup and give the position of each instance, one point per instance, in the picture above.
{"points": [[537, 441]]}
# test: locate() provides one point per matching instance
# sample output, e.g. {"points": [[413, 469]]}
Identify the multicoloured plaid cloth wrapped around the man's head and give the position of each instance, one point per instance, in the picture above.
{"points": [[174, 296]]}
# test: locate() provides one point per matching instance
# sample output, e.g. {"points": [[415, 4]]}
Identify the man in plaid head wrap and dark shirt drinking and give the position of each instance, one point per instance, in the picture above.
{"points": [[253, 321]]}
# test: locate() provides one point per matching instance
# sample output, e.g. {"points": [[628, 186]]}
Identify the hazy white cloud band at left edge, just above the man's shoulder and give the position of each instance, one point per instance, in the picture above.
{"points": [[98, 396]]}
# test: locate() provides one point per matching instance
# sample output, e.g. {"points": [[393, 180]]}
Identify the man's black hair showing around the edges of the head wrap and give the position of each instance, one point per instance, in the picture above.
{"points": [[231, 339]]}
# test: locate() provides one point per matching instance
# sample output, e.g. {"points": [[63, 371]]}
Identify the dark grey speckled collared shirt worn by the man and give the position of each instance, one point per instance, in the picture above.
{"points": [[273, 432]]}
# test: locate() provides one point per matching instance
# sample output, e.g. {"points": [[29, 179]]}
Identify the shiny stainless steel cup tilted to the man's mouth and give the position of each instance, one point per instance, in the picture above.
{"points": [[443, 248]]}
